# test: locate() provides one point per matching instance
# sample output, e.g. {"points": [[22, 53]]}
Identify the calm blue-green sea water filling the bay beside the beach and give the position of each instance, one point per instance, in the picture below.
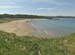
{"points": [[60, 26]]}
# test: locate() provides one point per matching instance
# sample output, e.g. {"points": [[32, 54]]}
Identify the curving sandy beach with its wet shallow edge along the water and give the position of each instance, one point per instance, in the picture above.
{"points": [[25, 28]]}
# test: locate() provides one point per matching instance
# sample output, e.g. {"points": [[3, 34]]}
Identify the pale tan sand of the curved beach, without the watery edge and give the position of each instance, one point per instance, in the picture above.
{"points": [[22, 28]]}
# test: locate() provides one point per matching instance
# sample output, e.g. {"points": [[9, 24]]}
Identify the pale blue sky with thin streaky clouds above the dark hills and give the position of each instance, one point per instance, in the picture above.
{"points": [[38, 7]]}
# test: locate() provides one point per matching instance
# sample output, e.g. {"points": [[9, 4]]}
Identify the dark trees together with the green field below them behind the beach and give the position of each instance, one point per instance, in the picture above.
{"points": [[9, 17]]}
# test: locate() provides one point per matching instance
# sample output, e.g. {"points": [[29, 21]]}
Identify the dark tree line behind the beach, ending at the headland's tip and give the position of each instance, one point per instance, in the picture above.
{"points": [[22, 16]]}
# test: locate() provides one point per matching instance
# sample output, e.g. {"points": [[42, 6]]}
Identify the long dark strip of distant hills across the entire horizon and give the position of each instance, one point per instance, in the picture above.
{"points": [[31, 16]]}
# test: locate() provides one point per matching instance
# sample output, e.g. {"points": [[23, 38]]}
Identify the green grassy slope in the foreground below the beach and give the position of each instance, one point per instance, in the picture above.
{"points": [[10, 44]]}
